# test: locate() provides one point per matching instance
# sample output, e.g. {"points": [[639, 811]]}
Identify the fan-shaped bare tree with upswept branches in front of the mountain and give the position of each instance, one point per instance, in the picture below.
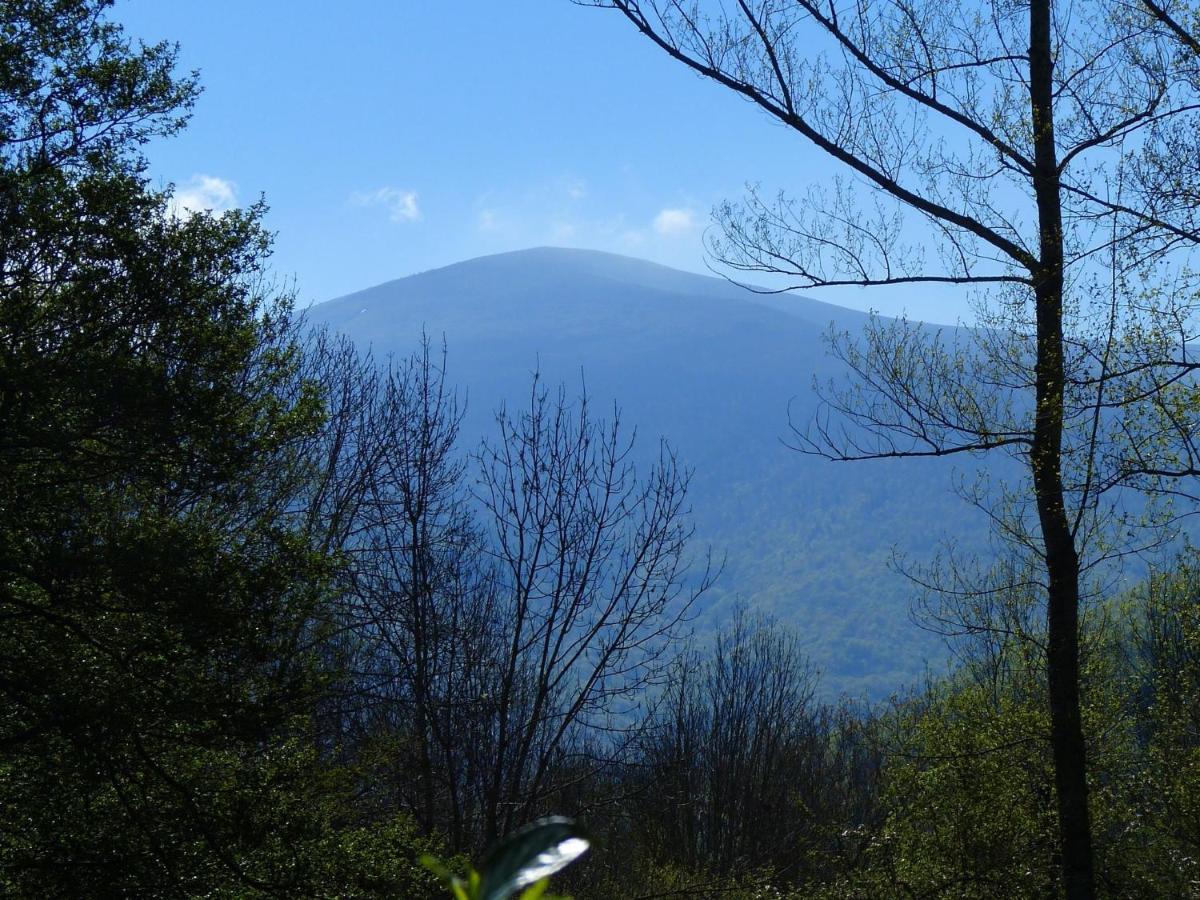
{"points": [[591, 563]]}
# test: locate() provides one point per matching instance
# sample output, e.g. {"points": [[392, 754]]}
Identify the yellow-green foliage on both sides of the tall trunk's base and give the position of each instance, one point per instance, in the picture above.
{"points": [[969, 788]]}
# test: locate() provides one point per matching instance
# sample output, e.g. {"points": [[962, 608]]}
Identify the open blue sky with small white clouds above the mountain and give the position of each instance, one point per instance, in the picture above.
{"points": [[395, 136]]}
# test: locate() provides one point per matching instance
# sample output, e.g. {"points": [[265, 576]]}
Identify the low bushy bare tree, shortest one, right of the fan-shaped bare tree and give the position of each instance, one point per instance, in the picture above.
{"points": [[746, 770]]}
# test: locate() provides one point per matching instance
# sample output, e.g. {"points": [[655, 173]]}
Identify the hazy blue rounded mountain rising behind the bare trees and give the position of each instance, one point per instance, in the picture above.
{"points": [[716, 370]]}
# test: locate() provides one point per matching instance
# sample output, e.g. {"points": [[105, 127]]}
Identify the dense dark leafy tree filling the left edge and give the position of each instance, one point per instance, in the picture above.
{"points": [[159, 599]]}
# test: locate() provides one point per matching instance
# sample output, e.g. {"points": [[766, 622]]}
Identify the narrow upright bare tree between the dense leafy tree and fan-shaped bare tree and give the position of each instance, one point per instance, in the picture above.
{"points": [[417, 626]]}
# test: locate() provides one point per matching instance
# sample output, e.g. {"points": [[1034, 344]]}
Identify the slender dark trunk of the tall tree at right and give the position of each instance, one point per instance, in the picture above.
{"points": [[1046, 457]]}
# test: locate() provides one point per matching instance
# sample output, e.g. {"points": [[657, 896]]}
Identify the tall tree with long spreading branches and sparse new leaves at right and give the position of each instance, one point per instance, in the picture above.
{"points": [[1025, 142]]}
